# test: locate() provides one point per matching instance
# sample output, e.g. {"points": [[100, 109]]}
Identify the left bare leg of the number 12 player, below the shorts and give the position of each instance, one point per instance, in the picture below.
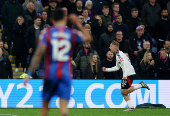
{"points": [[44, 110]]}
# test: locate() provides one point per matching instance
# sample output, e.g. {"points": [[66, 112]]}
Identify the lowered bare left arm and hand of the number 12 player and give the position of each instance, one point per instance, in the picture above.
{"points": [[35, 60]]}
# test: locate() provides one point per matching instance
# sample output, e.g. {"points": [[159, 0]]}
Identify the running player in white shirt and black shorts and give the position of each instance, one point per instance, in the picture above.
{"points": [[128, 74]]}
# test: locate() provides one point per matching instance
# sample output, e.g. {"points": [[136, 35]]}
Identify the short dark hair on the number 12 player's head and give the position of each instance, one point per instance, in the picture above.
{"points": [[57, 14]]}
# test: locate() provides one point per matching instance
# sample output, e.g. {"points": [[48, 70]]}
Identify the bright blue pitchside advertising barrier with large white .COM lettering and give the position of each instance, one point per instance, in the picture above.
{"points": [[85, 94]]}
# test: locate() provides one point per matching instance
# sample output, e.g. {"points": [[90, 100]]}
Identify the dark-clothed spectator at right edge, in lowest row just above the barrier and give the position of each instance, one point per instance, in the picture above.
{"points": [[162, 65]]}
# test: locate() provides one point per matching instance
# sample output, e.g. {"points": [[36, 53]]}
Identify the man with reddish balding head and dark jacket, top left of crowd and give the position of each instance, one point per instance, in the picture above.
{"points": [[29, 14]]}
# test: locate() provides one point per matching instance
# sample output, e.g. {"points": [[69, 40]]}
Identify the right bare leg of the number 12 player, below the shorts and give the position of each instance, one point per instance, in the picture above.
{"points": [[63, 107]]}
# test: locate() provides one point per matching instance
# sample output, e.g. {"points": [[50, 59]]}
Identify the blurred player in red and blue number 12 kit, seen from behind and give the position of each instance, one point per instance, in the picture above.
{"points": [[57, 42]]}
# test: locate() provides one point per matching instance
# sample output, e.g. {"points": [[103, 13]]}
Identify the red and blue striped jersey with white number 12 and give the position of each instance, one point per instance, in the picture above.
{"points": [[60, 42]]}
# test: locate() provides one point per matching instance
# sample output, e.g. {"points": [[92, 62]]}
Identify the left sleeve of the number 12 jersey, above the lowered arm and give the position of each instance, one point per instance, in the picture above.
{"points": [[43, 38]]}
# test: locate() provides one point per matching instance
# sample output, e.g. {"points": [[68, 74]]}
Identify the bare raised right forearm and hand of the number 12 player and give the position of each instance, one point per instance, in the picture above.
{"points": [[73, 19]]}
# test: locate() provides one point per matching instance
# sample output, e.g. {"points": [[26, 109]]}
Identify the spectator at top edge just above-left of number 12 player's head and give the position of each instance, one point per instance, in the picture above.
{"points": [[52, 6]]}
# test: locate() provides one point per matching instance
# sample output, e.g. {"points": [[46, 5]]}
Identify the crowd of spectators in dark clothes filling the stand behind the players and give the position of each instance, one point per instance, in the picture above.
{"points": [[141, 27]]}
